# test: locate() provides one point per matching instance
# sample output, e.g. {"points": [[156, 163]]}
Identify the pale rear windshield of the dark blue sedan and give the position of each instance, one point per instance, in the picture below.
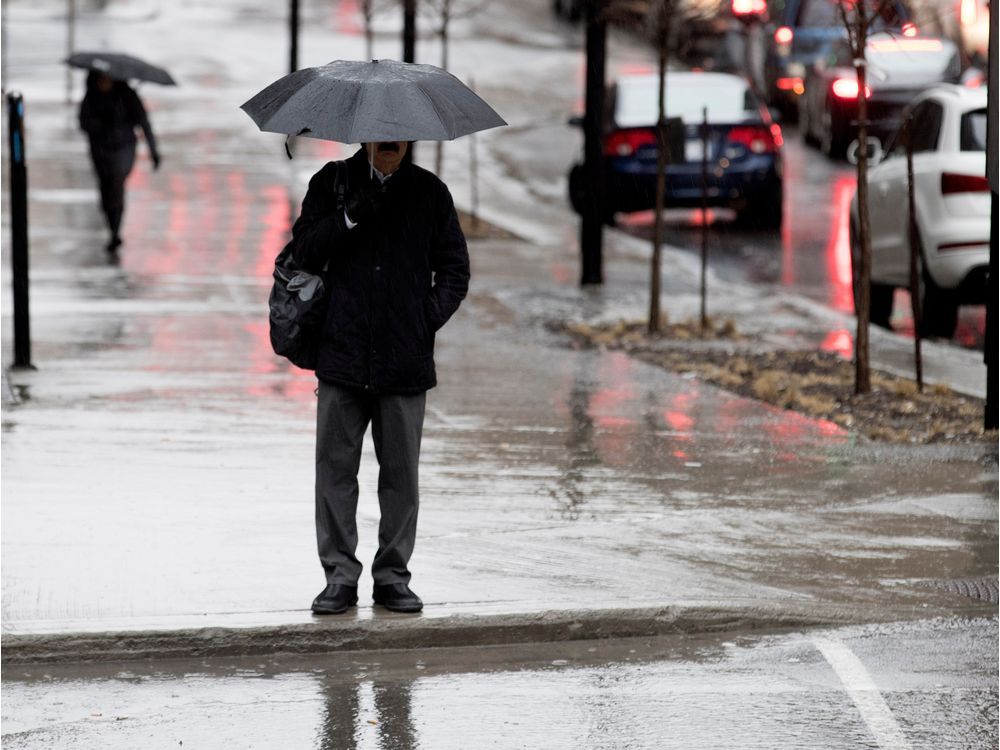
{"points": [[727, 98]]}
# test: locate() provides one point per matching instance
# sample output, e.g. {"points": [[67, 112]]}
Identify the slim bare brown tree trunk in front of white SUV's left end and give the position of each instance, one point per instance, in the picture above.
{"points": [[862, 366]]}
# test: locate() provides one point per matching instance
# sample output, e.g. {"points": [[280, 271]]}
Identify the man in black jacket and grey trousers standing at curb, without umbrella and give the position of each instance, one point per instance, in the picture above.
{"points": [[396, 267]]}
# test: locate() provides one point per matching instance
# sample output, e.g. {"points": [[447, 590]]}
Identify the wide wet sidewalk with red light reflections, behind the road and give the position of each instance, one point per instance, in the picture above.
{"points": [[157, 468]]}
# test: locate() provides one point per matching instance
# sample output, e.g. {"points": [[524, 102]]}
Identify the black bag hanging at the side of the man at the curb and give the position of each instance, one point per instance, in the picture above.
{"points": [[298, 301]]}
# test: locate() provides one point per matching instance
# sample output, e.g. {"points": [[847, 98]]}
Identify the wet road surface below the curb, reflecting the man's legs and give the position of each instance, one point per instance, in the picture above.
{"points": [[753, 692]]}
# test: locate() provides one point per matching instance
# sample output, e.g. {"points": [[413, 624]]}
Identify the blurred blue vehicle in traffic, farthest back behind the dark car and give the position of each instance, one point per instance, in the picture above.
{"points": [[802, 32]]}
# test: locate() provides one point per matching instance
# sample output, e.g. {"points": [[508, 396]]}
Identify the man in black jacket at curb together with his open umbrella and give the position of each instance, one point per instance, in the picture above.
{"points": [[385, 236]]}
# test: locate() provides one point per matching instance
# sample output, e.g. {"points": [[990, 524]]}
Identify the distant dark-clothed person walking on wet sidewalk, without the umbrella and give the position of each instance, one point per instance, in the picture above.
{"points": [[109, 114]]}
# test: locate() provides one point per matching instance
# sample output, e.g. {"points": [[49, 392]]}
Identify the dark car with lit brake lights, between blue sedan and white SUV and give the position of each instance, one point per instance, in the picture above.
{"points": [[899, 68]]}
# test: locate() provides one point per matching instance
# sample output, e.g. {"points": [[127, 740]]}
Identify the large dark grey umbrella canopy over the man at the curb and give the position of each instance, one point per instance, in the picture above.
{"points": [[381, 100]]}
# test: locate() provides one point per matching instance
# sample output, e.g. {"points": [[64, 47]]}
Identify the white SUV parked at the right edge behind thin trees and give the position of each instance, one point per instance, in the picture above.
{"points": [[952, 201]]}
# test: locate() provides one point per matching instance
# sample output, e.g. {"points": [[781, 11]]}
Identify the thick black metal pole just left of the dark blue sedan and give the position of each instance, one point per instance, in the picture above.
{"points": [[592, 221]]}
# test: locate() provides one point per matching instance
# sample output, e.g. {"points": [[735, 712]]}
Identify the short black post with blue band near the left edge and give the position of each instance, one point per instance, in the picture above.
{"points": [[19, 229]]}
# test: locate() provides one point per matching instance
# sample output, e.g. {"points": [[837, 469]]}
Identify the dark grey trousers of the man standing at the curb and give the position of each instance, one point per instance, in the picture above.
{"points": [[397, 423]]}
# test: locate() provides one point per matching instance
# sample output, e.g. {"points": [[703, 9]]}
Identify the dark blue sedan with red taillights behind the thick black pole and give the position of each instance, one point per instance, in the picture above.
{"points": [[744, 148]]}
